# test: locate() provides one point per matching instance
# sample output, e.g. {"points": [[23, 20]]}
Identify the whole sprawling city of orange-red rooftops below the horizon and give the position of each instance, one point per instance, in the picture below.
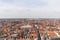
{"points": [[27, 29]]}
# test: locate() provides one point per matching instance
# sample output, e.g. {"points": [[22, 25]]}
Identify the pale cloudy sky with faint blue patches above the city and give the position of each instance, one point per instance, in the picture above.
{"points": [[29, 8]]}
